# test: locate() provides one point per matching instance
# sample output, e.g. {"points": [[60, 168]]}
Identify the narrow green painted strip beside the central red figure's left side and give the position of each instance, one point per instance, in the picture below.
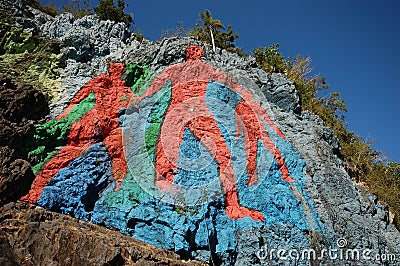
{"points": [[156, 117]]}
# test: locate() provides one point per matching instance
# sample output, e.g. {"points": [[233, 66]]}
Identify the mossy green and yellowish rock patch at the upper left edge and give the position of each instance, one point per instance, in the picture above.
{"points": [[28, 58]]}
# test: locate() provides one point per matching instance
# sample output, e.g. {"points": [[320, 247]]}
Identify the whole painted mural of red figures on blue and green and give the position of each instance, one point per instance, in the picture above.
{"points": [[183, 159]]}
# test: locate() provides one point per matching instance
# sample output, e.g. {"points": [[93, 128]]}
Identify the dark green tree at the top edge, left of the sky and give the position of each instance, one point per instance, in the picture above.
{"points": [[107, 10]]}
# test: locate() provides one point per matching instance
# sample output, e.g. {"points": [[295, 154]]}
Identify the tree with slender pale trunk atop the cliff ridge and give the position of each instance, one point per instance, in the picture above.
{"points": [[212, 31]]}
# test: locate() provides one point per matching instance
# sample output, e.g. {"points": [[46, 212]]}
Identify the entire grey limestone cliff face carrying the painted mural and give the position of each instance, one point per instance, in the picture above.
{"points": [[197, 152]]}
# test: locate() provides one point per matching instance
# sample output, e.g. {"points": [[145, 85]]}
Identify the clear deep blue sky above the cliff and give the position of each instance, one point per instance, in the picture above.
{"points": [[353, 43]]}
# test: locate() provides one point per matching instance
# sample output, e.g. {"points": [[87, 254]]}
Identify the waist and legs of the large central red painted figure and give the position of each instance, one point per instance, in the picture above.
{"points": [[188, 109]]}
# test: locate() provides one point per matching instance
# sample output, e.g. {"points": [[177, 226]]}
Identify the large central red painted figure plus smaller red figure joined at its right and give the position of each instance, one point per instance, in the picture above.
{"points": [[188, 109]]}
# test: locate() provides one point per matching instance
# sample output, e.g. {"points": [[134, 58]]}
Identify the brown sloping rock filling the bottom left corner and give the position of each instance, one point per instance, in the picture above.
{"points": [[35, 236]]}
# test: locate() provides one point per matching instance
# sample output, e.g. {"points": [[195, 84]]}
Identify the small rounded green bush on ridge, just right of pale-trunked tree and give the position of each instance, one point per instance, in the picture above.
{"points": [[269, 58]]}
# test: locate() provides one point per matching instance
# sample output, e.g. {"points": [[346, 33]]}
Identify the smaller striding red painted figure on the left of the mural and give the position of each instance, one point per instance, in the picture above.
{"points": [[99, 124]]}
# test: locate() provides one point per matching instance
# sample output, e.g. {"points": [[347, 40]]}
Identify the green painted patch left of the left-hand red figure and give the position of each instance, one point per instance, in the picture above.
{"points": [[48, 138]]}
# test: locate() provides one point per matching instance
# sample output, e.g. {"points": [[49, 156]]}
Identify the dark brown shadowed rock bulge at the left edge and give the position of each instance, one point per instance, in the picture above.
{"points": [[20, 107]]}
